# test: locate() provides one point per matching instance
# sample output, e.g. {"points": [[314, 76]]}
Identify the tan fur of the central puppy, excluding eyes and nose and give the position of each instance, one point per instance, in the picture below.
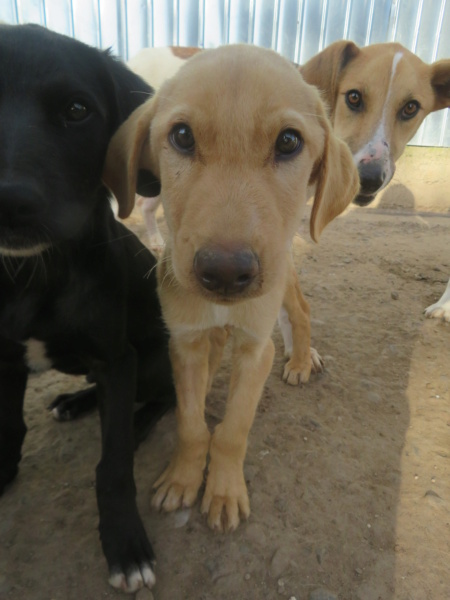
{"points": [[233, 192]]}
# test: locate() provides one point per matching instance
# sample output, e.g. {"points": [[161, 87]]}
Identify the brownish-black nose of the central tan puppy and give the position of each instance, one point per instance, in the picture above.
{"points": [[226, 271]]}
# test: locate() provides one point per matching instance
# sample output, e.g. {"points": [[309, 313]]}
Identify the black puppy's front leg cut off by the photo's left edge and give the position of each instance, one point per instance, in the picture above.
{"points": [[13, 381]]}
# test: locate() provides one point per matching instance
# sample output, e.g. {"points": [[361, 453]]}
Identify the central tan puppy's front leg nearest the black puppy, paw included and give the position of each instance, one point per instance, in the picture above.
{"points": [[180, 482]]}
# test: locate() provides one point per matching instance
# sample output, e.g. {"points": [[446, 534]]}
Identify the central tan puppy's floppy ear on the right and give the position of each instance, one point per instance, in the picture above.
{"points": [[337, 181]]}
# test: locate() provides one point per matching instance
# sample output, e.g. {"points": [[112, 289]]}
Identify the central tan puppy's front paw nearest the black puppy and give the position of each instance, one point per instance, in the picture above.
{"points": [[179, 484]]}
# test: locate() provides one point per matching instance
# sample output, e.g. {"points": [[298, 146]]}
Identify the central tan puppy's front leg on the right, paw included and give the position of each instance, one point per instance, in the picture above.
{"points": [[226, 497]]}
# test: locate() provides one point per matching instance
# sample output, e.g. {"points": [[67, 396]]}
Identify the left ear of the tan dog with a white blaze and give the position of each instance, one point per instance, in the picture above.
{"points": [[323, 69]]}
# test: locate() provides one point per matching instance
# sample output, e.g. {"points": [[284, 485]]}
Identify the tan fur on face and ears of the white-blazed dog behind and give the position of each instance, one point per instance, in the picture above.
{"points": [[343, 66]]}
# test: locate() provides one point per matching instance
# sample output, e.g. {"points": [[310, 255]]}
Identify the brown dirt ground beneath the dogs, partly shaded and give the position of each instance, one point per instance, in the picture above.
{"points": [[348, 476]]}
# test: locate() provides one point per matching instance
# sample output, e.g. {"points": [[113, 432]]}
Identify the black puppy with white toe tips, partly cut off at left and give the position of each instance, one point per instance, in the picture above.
{"points": [[77, 289]]}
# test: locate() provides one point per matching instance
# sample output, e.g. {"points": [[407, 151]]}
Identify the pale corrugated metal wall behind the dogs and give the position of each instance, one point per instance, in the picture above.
{"points": [[297, 29]]}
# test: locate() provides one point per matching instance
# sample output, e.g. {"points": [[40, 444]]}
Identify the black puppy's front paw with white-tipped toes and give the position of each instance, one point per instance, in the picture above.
{"points": [[129, 554]]}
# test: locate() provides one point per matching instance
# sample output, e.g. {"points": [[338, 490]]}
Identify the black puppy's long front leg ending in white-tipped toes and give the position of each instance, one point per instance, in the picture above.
{"points": [[125, 545]]}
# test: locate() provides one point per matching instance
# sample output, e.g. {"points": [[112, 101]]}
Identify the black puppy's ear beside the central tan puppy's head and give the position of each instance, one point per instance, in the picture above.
{"points": [[129, 90]]}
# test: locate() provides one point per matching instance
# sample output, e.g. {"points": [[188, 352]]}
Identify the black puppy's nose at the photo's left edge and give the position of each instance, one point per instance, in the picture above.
{"points": [[20, 204]]}
